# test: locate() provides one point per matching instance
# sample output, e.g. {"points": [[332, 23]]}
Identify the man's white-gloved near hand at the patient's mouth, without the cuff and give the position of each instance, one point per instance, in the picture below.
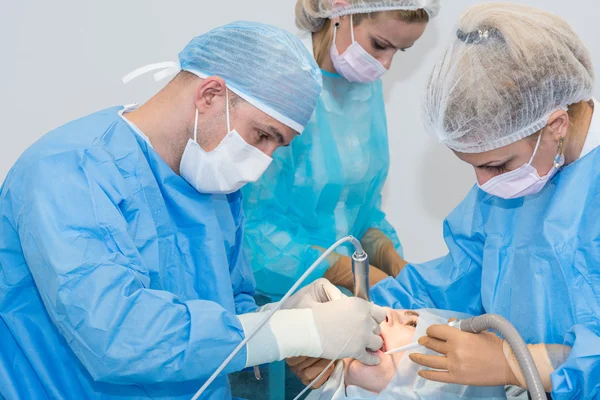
{"points": [[350, 326]]}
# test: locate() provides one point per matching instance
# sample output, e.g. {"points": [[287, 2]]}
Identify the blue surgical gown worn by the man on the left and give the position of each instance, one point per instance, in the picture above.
{"points": [[117, 279]]}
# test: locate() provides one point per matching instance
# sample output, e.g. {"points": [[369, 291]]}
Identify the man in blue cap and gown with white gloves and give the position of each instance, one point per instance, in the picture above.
{"points": [[122, 274]]}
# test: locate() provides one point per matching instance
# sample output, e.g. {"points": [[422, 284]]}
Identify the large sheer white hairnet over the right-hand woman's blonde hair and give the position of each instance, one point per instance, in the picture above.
{"points": [[508, 68]]}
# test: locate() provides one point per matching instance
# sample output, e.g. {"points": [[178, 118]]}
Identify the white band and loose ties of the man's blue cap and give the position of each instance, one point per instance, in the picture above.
{"points": [[170, 68]]}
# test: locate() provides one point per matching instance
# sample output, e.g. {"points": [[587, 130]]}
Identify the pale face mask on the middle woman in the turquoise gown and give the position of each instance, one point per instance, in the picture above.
{"points": [[356, 65]]}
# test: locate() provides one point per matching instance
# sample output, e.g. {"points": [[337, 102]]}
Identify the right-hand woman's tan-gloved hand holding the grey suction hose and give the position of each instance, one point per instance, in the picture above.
{"points": [[467, 358]]}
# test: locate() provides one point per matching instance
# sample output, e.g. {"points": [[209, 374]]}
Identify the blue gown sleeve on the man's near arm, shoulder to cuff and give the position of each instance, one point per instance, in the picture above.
{"points": [[96, 288]]}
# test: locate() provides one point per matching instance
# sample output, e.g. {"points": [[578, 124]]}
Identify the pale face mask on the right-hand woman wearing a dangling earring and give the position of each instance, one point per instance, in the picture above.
{"points": [[523, 181]]}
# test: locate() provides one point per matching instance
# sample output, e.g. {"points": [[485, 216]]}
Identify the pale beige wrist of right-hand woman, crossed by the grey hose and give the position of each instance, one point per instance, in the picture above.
{"points": [[547, 358]]}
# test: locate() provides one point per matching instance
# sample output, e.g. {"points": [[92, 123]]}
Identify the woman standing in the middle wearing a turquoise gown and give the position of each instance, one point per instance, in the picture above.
{"points": [[328, 183]]}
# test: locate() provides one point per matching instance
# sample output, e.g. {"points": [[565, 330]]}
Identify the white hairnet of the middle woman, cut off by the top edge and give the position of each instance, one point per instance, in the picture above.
{"points": [[311, 14]]}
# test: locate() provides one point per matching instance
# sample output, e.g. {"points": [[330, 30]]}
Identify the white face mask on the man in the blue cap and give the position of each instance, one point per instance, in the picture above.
{"points": [[227, 168]]}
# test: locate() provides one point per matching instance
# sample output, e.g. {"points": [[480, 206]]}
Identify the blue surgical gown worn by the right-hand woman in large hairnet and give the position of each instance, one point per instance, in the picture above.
{"points": [[534, 260]]}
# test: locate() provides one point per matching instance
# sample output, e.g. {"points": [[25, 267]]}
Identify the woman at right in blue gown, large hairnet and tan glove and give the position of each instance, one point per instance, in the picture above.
{"points": [[512, 96]]}
